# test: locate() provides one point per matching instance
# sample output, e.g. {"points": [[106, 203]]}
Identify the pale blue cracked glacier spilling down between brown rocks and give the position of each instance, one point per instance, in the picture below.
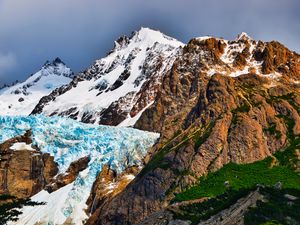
{"points": [[68, 140]]}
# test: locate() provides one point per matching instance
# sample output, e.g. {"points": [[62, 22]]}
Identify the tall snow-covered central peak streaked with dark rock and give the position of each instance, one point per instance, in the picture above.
{"points": [[117, 88]]}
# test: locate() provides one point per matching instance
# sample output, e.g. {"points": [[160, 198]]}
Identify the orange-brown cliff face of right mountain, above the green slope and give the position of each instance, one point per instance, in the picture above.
{"points": [[222, 101]]}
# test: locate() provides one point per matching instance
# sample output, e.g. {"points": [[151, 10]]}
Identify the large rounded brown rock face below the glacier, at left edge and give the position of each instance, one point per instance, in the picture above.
{"points": [[23, 173]]}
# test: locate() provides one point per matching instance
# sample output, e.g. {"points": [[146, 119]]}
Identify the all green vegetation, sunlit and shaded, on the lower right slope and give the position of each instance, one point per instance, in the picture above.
{"points": [[225, 186]]}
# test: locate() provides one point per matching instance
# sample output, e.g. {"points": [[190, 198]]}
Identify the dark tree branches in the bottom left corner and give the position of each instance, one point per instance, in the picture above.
{"points": [[10, 207]]}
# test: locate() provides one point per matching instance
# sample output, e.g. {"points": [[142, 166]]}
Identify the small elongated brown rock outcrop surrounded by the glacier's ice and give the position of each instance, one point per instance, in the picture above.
{"points": [[69, 176]]}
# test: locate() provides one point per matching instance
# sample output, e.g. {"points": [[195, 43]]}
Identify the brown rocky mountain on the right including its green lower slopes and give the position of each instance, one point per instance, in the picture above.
{"points": [[228, 115]]}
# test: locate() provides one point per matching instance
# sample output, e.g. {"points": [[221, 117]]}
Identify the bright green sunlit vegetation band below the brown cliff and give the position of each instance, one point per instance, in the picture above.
{"points": [[245, 176]]}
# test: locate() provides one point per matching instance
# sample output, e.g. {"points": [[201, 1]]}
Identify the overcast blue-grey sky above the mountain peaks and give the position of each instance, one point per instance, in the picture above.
{"points": [[81, 31]]}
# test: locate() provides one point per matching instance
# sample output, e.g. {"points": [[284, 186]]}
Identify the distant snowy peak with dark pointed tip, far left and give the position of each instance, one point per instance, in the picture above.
{"points": [[21, 98]]}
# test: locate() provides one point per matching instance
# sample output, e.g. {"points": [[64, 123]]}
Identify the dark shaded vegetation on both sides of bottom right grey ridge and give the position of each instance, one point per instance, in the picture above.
{"points": [[275, 209]]}
